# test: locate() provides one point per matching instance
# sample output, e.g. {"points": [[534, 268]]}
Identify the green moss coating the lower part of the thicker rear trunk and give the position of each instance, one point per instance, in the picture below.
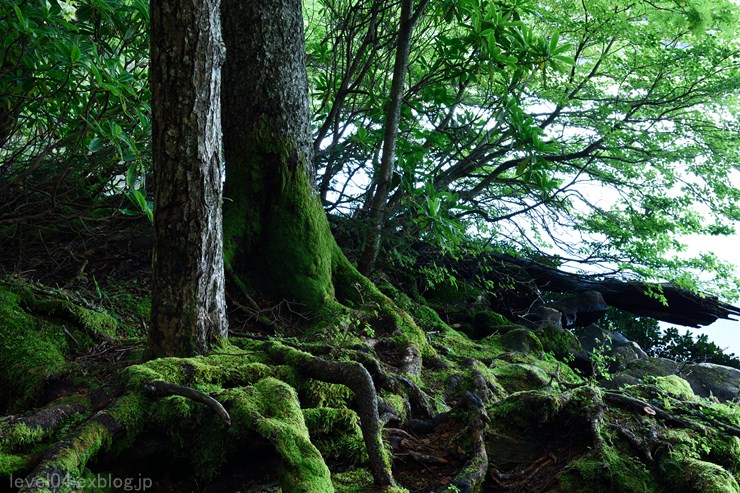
{"points": [[289, 234]]}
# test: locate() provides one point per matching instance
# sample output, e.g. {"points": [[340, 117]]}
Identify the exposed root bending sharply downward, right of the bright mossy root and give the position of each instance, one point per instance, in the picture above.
{"points": [[357, 378]]}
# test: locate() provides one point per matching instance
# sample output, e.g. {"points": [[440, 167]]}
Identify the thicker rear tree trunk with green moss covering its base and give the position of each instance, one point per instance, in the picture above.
{"points": [[277, 238]]}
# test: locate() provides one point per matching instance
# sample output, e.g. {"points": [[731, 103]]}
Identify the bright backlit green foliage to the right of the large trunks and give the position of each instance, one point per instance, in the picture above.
{"points": [[600, 131]]}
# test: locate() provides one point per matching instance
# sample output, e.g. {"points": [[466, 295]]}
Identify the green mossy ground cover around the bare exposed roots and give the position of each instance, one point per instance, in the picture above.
{"points": [[546, 424]]}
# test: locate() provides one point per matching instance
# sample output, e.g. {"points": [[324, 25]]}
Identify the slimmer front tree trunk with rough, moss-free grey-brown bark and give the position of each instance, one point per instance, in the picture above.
{"points": [[188, 308]]}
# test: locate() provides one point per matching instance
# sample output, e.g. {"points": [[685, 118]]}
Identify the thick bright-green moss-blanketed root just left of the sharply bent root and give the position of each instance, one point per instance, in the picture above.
{"points": [[271, 408]]}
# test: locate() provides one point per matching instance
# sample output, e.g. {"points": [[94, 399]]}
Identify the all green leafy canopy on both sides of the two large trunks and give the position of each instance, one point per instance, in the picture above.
{"points": [[599, 132]]}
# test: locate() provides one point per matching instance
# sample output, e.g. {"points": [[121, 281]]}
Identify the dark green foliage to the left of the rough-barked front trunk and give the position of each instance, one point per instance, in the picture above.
{"points": [[74, 108]]}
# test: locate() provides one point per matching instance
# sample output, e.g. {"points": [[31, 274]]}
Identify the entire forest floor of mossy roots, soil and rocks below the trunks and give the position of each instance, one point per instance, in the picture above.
{"points": [[505, 412]]}
